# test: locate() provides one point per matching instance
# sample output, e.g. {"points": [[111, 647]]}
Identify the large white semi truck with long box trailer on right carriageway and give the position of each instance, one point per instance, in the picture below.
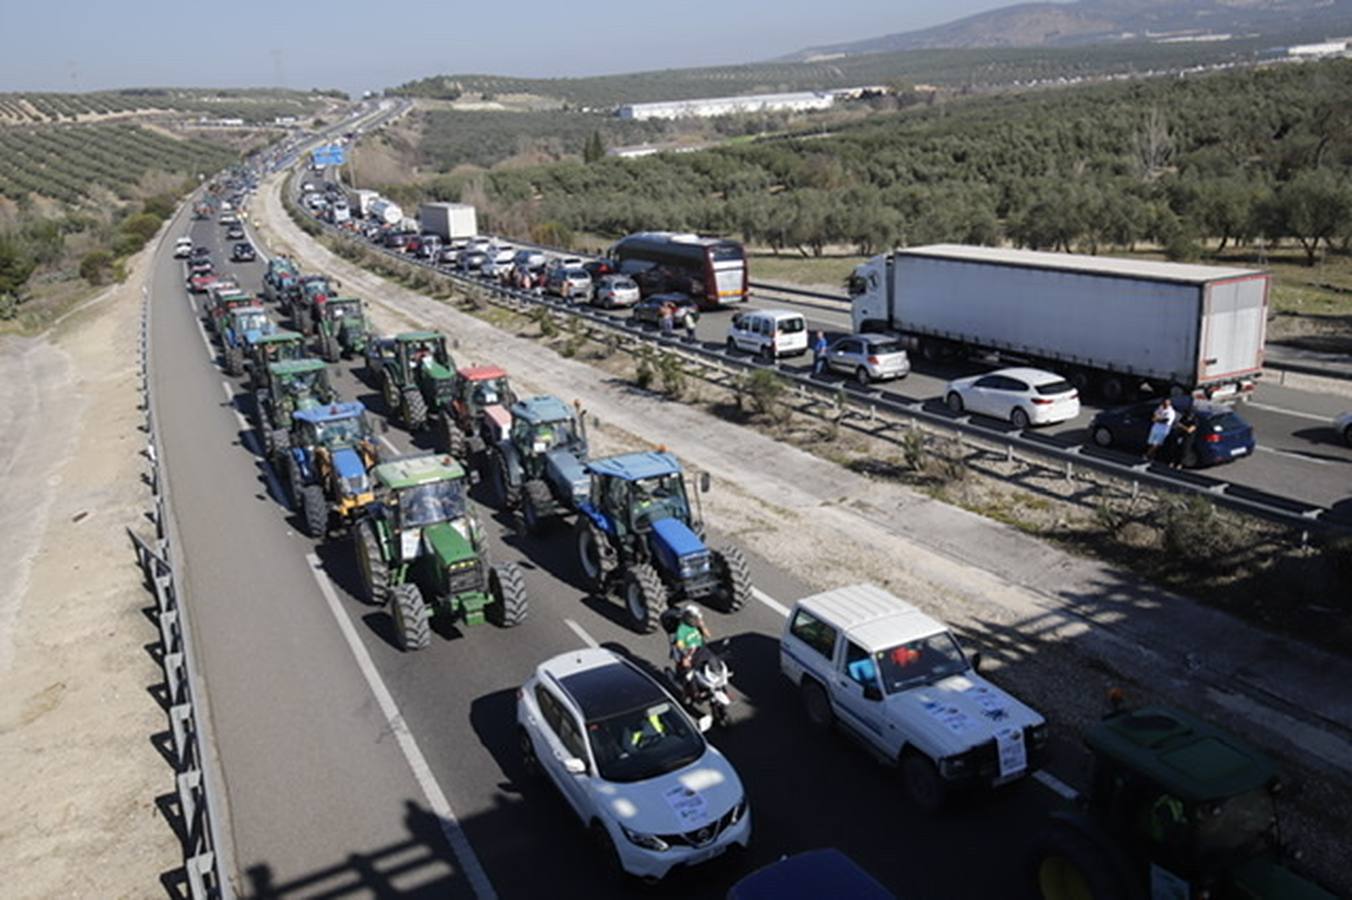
{"points": [[1112, 326]]}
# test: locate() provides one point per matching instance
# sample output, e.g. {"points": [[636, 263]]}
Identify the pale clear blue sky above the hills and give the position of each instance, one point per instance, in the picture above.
{"points": [[366, 45]]}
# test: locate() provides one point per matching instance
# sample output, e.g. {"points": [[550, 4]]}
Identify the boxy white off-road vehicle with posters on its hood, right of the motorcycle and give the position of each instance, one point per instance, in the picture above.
{"points": [[897, 680]]}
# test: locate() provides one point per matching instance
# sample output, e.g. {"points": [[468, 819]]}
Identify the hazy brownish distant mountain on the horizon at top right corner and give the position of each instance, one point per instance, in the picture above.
{"points": [[1051, 25]]}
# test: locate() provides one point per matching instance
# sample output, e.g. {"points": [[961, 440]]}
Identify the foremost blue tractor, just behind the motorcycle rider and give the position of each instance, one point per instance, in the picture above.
{"points": [[639, 537]]}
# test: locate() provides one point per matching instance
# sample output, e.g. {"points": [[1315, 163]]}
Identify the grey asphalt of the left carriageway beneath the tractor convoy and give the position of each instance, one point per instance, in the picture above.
{"points": [[356, 770]]}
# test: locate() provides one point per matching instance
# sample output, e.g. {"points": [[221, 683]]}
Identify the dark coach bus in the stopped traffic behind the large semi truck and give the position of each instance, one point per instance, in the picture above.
{"points": [[710, 271]]}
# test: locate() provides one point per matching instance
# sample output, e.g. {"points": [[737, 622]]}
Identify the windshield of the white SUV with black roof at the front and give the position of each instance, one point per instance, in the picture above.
{"points": [[644, 744]]}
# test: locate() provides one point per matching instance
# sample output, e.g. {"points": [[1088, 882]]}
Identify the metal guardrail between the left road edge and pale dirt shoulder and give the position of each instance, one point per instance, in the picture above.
{"points": [[205, 844]]}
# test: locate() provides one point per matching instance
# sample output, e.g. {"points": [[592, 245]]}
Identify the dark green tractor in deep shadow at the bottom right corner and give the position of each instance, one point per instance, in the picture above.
{"points": [[1178, 809]]}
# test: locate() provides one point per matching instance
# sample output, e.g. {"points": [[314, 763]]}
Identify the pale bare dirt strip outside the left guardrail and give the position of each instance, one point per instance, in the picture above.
{"points": [[83, 778]]}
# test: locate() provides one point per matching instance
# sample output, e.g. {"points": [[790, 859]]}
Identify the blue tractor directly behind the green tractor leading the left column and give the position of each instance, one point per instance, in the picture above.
{"points": [[329, 463]]}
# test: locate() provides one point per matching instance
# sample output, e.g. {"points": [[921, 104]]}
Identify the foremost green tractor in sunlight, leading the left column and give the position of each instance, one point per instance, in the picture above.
{"points": [[422, 551]]}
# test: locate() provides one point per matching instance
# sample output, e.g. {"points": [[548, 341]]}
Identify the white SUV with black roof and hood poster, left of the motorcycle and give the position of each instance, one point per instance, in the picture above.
{"points": [[631, 763]]}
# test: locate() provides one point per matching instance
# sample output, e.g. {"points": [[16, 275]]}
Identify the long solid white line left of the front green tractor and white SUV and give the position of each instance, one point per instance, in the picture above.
{"points": [[395, 721]]}
